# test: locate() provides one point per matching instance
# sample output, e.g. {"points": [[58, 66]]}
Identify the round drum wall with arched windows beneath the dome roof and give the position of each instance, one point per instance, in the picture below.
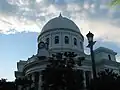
{"points": [[61, 46]]}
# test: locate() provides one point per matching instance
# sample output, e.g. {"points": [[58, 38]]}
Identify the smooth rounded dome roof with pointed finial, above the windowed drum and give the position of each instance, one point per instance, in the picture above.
{"points": [[60, 22]]}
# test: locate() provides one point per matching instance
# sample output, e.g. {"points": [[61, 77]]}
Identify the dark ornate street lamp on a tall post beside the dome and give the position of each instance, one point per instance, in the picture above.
{"points": [[90, 45]]}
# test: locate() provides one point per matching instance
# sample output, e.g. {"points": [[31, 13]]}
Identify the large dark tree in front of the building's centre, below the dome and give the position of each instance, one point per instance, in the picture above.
{"points": [[60, 75]]}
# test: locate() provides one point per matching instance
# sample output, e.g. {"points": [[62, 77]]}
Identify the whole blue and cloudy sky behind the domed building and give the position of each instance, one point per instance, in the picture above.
{"points": [[21, 22]]}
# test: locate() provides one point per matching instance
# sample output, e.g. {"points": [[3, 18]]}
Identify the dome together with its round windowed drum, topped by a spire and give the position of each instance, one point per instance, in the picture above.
{"points": [[62, 35]]}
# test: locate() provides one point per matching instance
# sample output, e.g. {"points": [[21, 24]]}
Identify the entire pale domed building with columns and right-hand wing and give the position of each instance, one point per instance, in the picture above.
{"points": [[60, 35]]}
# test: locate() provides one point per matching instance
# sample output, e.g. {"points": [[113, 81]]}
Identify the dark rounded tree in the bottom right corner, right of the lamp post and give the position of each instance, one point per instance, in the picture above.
{"points": [[106, 80]]}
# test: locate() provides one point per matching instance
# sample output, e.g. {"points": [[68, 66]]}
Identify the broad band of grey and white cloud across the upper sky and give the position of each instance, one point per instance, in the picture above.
{"points": [[31, 15]]}
